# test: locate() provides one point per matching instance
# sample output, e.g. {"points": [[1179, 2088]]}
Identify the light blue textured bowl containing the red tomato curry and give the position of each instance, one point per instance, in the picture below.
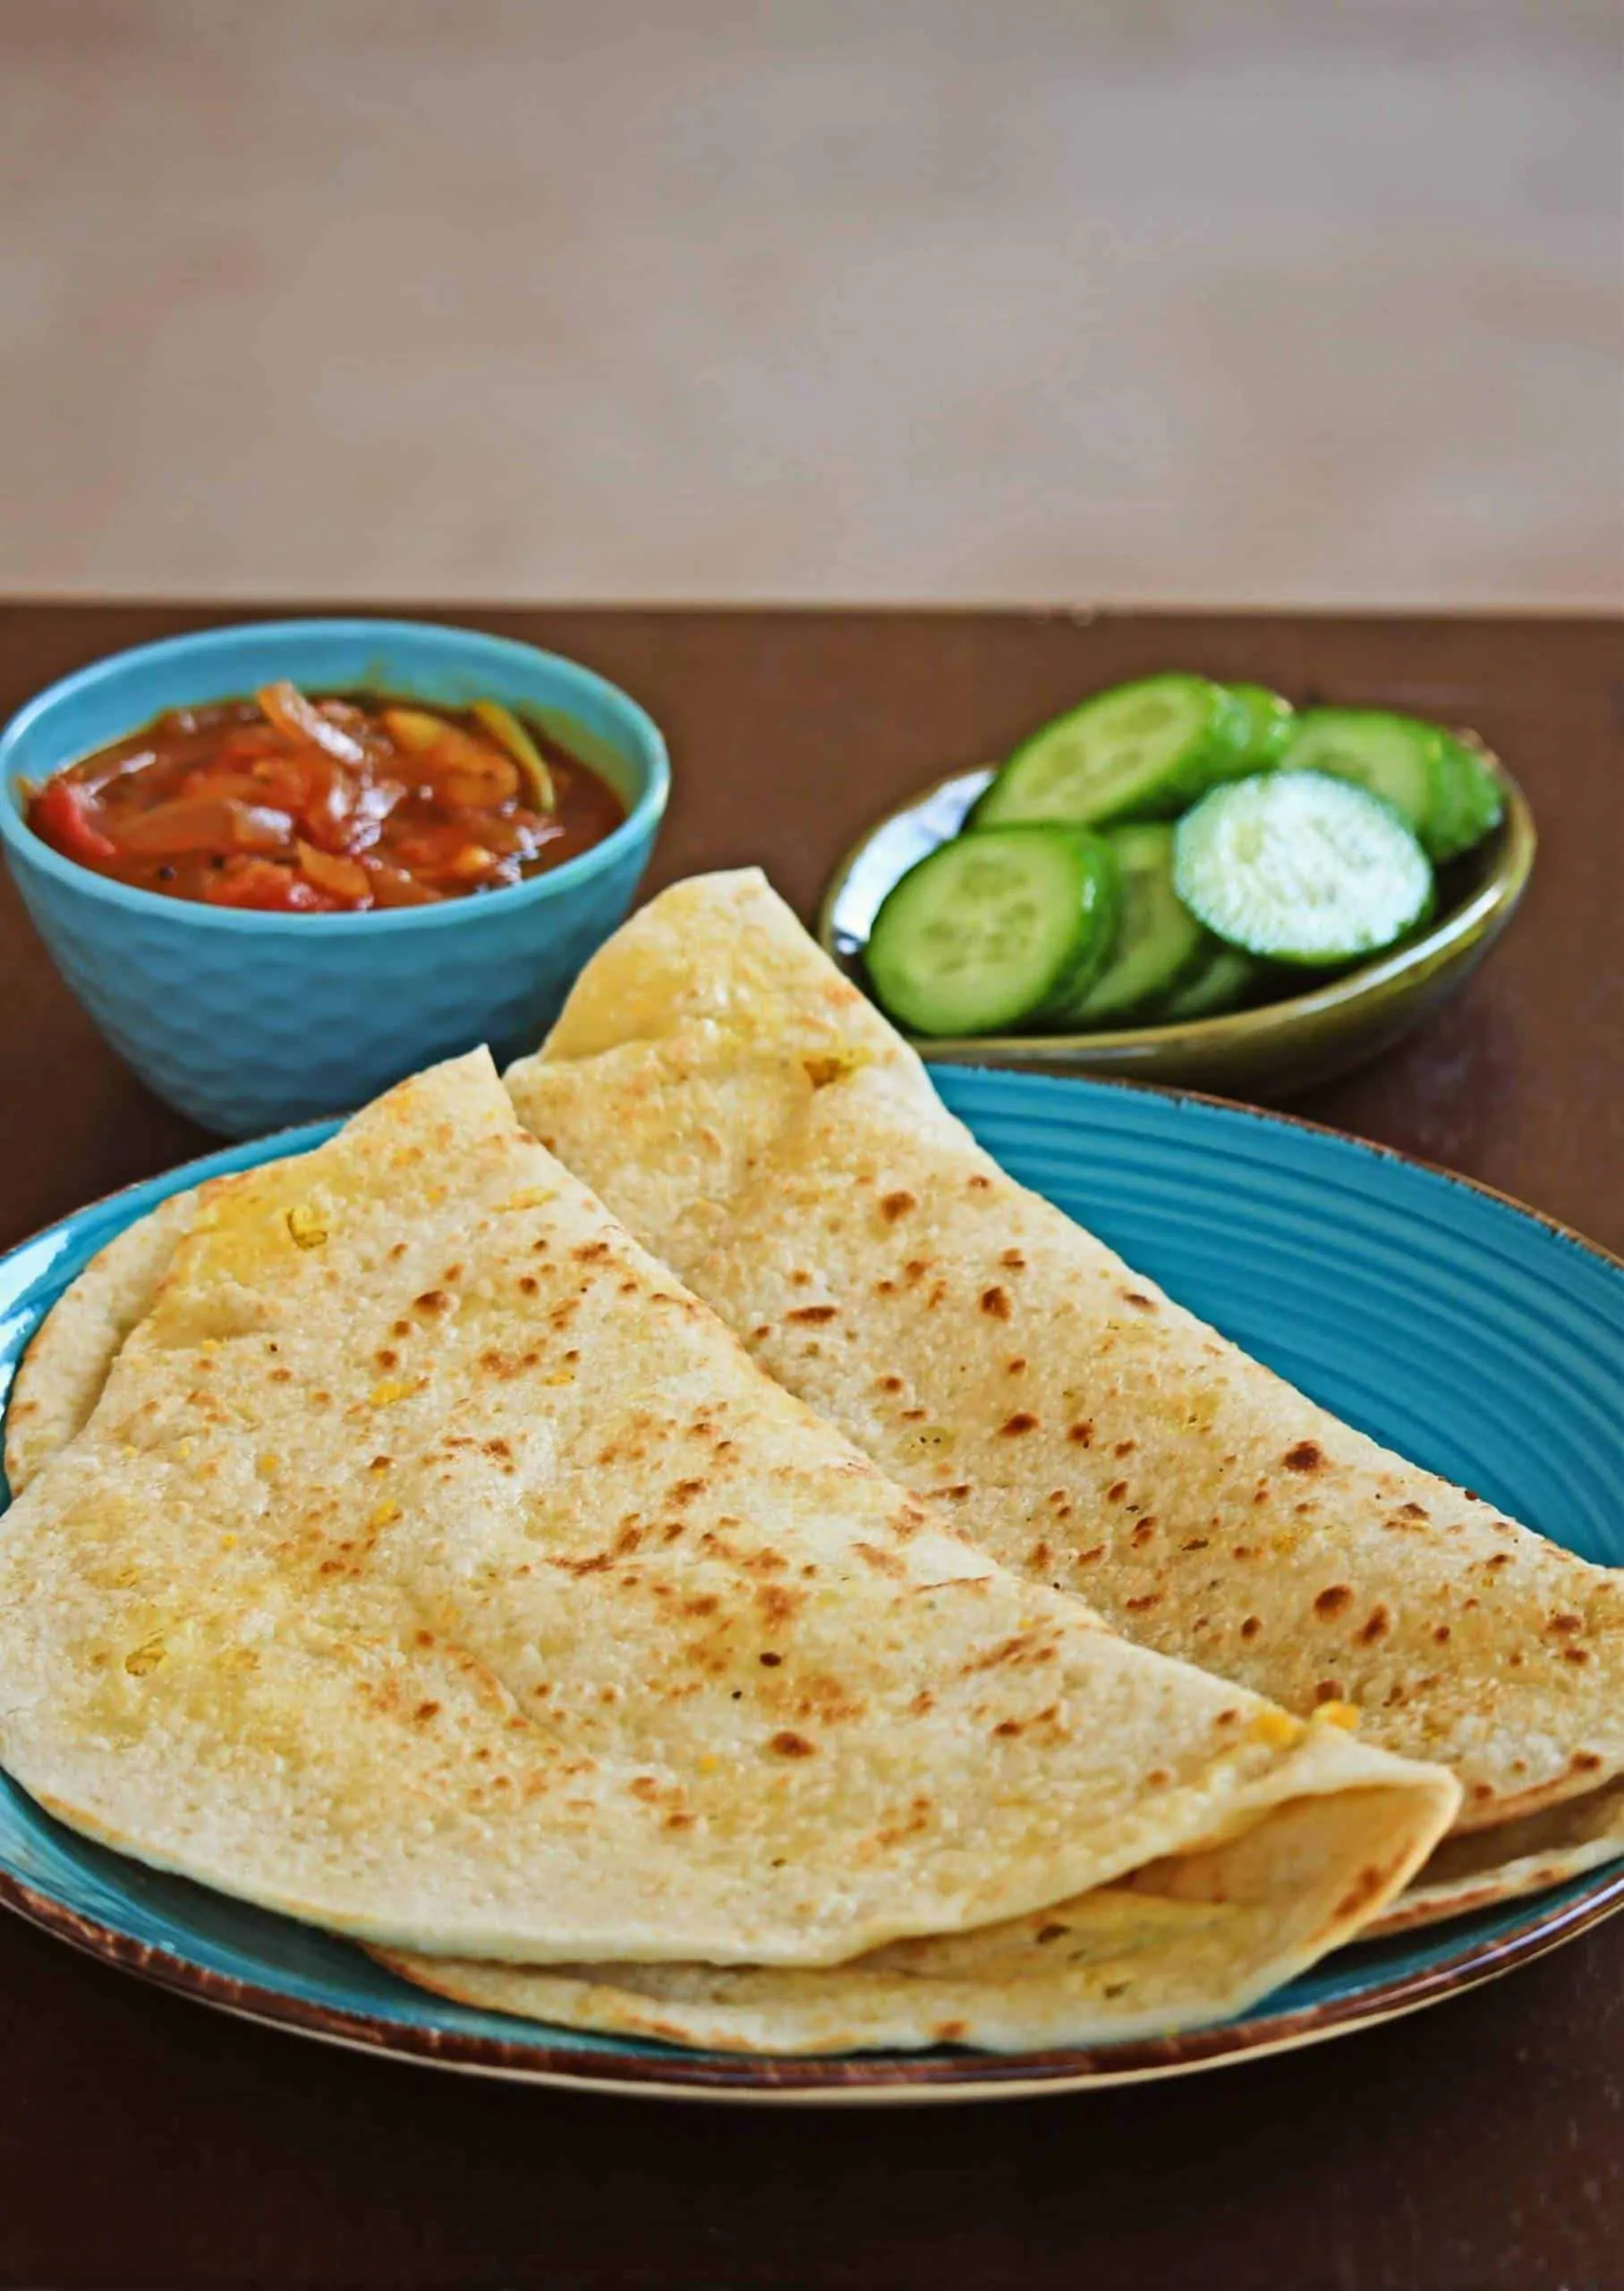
{"points": [[253, 1021]]}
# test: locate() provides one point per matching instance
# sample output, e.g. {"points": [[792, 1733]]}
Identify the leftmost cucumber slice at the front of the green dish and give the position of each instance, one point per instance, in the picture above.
{"points": [[991, 931]]}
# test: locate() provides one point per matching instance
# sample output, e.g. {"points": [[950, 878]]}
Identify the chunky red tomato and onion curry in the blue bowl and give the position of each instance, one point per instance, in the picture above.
{"points": [[326, 805]]}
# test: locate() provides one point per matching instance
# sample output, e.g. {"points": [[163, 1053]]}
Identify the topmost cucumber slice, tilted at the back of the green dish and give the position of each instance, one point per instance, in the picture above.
{"points": [[1144, 750]]}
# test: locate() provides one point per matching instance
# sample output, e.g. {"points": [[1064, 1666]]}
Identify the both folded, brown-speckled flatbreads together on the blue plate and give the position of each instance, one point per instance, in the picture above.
{"points": [[835, 1605]]}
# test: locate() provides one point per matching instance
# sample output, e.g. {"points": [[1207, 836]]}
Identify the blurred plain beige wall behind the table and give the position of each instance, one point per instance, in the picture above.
{"points": [[583, 299]]}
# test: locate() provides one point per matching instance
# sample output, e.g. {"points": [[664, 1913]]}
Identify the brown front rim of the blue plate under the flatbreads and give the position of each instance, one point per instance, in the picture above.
{"points": [[711, 2072]]}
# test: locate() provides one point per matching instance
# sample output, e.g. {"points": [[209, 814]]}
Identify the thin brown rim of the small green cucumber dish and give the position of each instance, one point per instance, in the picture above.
{"points": [[1479, 920]]}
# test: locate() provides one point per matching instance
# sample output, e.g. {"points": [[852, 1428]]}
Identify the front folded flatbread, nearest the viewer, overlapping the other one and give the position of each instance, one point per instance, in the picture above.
{"points": [[434, 1568]]}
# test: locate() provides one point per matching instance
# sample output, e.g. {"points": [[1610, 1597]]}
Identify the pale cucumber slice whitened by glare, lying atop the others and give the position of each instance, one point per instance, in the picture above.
{"points": [[1302, 869]]}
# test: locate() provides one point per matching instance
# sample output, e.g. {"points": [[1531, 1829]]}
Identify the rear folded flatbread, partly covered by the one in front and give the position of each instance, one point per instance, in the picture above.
{"points": [[766, 1133]]}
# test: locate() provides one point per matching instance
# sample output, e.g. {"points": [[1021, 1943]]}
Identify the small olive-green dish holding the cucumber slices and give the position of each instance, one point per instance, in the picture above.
{"points": [[1266, 1050]]}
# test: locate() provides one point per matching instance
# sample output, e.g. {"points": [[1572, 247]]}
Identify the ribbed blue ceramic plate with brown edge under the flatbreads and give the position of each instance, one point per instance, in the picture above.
{"points": [[1467, 1332]]}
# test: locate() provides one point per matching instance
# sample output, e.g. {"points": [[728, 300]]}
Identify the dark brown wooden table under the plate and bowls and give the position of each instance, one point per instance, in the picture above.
{"points": [[145, 2141]]}
